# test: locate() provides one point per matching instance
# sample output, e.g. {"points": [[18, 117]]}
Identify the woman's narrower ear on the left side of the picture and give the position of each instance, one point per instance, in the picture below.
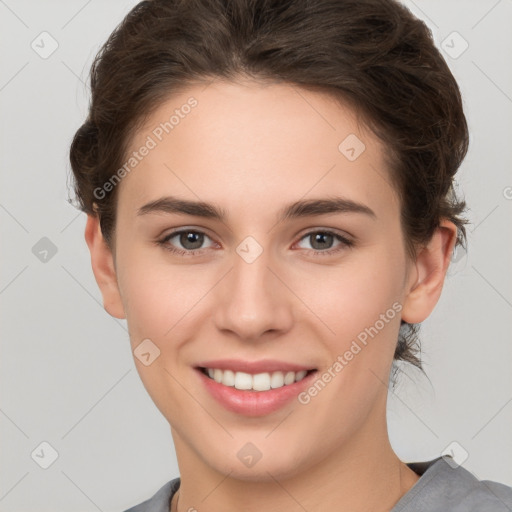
{"points": [[102, 262]]}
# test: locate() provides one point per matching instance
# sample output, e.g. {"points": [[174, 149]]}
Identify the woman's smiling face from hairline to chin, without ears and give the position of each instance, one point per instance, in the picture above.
{"points": [[321, 289]]}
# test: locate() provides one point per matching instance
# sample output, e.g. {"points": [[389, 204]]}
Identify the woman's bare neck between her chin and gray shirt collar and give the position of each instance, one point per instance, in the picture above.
{"points": [[365, 475]]}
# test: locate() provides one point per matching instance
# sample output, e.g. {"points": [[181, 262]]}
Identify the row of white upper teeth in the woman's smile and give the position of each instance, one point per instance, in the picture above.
{"points": [[257, 382]]}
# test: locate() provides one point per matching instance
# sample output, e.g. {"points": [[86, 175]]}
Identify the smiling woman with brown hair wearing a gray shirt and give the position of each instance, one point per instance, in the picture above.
{"points": [[226, 142]]}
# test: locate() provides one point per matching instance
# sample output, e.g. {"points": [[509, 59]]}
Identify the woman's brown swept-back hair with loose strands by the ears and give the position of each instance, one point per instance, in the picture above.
{"points": [[373, 54]]}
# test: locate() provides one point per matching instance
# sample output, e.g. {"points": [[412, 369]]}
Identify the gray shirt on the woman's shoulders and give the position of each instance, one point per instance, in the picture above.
{"points": [[441, 488]]}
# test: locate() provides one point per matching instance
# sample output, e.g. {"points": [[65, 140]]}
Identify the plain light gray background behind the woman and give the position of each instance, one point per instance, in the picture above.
{"points": [[68, 377]]}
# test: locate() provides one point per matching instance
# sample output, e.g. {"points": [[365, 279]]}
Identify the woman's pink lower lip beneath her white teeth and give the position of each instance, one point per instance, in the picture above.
{"points": [[254, 403]]}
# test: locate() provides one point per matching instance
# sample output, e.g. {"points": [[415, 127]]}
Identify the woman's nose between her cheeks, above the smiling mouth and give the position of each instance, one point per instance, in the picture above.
{"points": [[253, 301]]}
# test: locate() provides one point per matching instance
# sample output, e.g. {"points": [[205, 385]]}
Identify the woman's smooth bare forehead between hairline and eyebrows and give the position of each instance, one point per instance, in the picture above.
{"points": [[250, 143]]}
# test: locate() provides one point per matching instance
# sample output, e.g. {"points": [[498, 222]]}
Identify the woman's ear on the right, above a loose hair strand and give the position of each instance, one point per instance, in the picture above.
{"points": [[427, 281]]}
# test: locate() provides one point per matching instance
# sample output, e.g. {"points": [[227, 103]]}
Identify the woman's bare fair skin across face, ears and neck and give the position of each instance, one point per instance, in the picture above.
{"points": [[252, 148]]}
